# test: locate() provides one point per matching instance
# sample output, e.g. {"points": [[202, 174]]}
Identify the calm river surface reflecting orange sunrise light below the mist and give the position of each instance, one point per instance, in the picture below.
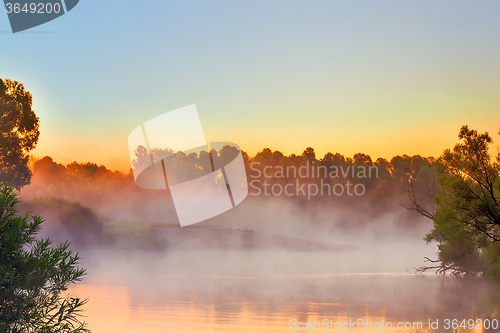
{"points": [[270, 291]]}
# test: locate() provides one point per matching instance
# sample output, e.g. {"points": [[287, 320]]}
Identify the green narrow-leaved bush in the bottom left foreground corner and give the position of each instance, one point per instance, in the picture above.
{"points": [[34, 276]]}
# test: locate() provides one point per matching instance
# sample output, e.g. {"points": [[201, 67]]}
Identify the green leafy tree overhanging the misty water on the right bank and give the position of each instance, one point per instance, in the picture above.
{"points": [[467, 218]]}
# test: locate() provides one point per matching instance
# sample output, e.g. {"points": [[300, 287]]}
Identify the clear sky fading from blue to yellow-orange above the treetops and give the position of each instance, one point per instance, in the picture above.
{"points": [[380, 77]]}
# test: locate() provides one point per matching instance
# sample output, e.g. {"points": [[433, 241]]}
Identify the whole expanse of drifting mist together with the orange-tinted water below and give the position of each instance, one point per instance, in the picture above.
{"points": [[253, 268]]}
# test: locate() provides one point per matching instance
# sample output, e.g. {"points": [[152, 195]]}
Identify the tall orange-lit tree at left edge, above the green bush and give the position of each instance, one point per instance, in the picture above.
{"points": [[18, 132]]}
